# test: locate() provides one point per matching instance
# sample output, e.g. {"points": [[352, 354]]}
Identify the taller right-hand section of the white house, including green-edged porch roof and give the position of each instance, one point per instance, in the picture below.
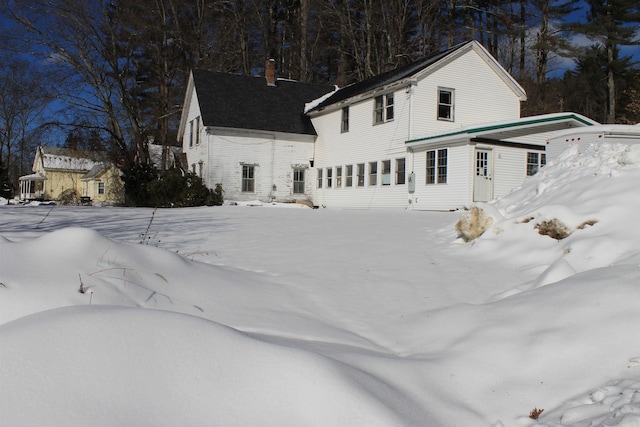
{"points": [[437, 134]]}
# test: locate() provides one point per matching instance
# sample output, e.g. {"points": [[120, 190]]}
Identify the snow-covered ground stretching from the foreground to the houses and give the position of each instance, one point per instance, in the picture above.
{"points": [[245, 316]]}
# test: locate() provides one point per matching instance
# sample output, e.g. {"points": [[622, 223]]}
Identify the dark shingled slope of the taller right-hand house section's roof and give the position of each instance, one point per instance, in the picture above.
{"points": [[387, 78]]}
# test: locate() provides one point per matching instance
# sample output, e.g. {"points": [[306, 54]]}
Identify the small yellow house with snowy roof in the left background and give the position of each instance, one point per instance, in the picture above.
{"points": [[61, 172]]}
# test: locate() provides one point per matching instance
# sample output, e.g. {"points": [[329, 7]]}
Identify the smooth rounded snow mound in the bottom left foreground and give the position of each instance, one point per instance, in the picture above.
{"points": [[126, 366]]}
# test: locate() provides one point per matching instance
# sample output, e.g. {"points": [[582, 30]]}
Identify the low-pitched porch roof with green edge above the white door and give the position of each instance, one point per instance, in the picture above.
{"points": [[507, 131]]}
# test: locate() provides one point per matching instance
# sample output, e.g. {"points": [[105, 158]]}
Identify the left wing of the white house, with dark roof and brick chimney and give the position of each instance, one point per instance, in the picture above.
{"points": [[250, 134]]}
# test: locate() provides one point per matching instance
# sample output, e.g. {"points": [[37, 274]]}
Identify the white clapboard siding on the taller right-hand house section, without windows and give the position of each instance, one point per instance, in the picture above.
{"points": [[480, 95]]}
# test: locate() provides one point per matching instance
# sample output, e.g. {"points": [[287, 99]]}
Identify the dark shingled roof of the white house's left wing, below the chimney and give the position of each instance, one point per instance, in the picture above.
{"points": [[243, 102]]}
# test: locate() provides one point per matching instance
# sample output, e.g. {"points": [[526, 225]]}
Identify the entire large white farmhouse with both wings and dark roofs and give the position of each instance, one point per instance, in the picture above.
{"points": [[437, 134]]}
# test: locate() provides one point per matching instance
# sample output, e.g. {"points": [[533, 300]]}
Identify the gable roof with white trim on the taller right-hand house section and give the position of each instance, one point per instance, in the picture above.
{"points": [[411, 70]]}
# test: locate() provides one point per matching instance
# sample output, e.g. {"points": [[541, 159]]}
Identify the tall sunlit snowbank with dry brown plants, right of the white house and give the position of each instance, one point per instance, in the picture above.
{"points": [[572, 211]]}
